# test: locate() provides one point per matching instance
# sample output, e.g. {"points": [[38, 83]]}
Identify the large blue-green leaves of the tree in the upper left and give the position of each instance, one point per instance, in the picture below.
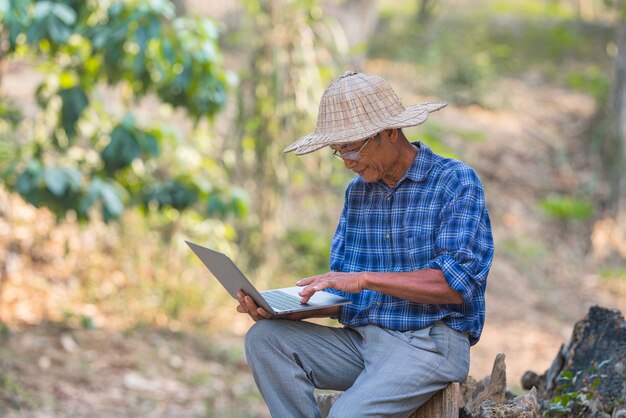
{"points": [[89, 159]]}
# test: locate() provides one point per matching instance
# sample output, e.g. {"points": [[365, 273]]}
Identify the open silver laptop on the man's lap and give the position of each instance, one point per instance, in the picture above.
{"points": [[276, 301]]}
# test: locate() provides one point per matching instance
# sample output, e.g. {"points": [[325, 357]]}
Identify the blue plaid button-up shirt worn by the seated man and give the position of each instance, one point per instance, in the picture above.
{"points": [[435, 217]]}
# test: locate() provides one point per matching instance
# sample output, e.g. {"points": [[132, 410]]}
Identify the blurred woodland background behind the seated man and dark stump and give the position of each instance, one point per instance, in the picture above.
{"points": [[129, 126]]}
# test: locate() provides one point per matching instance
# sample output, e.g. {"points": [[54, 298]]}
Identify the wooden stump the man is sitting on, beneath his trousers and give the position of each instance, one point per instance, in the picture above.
{"points": [[443, 404]]}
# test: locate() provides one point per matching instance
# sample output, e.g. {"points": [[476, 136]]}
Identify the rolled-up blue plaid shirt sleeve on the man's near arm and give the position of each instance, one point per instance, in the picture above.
{"points": [[464, 245]]}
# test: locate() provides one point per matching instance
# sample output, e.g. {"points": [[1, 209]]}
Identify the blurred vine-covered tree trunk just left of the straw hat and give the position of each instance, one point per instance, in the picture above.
{"points": [[279, 86]]}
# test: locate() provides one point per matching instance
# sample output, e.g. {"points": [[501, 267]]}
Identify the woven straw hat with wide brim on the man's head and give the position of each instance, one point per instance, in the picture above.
{"points": [[357, 106]]}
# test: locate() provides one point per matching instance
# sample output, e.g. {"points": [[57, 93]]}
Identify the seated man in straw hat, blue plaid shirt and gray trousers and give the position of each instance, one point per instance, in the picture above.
{"points": [[412, 251]]}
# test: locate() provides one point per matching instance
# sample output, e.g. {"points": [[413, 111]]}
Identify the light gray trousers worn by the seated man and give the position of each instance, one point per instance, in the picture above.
{"points": [[384, 373]]}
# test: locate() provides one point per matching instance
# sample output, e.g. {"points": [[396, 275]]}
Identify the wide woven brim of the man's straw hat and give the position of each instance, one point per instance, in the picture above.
{"points": [[412, 116]]}
